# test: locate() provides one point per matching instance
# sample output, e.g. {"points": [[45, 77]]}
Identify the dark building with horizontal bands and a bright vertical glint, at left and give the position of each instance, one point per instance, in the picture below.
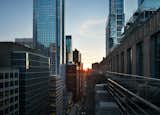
{"points": [[33, 70]]}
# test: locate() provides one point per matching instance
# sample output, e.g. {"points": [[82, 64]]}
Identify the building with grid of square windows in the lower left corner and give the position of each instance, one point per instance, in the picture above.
{"points": [[9, 91]]}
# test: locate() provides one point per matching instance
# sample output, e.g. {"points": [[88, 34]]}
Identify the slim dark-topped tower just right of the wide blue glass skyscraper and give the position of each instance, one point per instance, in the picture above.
{"points": [[69, 49]]}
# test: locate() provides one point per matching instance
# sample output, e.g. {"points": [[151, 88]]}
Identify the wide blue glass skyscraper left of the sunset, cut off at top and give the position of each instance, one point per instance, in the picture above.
{"points": [[48, 30]]}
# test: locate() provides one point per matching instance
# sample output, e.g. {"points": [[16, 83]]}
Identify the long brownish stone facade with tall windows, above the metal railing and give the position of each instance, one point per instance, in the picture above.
{"points": [[138, 53]]}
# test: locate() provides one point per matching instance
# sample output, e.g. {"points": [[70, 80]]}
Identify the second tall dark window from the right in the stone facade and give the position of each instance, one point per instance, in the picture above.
{"points": [[139, 59]]}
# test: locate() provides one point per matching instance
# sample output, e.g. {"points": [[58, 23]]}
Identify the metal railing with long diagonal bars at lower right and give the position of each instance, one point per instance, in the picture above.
{"points": [[135, 95]]}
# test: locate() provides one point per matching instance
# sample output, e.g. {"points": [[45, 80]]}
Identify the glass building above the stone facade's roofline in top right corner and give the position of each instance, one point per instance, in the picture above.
{"points": [[145, 10]]}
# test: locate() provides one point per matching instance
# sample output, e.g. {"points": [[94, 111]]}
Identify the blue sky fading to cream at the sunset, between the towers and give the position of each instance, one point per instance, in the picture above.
{"points": [[85, 21]]}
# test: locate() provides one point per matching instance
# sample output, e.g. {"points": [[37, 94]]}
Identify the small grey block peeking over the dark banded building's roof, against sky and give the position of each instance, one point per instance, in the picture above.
{"points": [[28, 42]]}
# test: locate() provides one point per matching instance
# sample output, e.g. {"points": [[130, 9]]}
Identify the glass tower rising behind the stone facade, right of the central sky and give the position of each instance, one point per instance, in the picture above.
{"points": [[115, 24]]}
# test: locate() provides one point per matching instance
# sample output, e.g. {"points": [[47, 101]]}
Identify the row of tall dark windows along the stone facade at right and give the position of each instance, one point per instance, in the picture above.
{"points": [[117, 63]]}
